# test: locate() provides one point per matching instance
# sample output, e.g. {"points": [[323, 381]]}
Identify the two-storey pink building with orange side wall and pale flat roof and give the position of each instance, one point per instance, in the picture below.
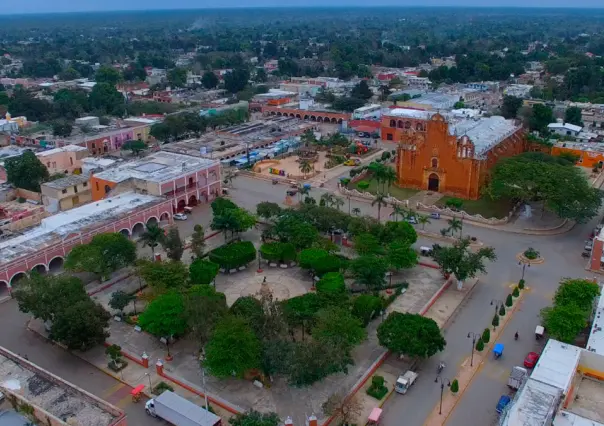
{"points": [[184, 179]]}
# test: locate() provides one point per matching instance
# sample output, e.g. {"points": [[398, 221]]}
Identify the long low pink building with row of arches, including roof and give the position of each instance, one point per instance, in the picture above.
{"points": [[44, 247]]}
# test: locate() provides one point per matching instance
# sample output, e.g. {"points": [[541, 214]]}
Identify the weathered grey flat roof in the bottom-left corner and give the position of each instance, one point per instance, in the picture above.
{"points": [[54, 395]]}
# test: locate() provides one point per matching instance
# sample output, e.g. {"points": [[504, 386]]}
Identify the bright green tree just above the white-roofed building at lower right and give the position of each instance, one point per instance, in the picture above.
{"points": [[564, 322]]}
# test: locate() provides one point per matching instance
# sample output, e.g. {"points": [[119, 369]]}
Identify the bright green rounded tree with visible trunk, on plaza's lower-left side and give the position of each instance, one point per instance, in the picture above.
{"points": [[165, 317]]}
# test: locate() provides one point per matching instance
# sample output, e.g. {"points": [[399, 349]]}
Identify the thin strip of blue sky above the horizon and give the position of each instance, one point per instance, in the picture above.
{"points": [[55, 6]]}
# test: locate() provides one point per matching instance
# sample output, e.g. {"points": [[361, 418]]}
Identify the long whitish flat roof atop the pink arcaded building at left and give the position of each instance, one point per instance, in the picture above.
{"points": [[55, 228]]}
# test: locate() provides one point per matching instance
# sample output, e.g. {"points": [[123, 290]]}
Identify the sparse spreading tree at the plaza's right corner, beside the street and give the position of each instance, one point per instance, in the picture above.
{"points": [[462, 262]]}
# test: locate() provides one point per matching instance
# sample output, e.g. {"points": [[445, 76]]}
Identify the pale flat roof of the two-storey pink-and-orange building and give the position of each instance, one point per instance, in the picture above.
{"points": [[157, 167]]}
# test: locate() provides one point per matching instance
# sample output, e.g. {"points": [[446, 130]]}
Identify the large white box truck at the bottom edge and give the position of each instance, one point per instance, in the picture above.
{"points": [[179, 411]]}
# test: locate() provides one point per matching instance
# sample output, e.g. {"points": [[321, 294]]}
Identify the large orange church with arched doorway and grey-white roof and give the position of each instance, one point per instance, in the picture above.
{"points": [[449, 156]]}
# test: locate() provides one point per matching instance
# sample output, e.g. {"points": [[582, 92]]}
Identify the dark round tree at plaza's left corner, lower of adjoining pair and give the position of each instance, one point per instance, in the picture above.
{"points": [[81, 326]]}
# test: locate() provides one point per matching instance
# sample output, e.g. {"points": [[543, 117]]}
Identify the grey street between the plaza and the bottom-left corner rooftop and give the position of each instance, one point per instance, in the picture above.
{"points": [[16, 338]]}
